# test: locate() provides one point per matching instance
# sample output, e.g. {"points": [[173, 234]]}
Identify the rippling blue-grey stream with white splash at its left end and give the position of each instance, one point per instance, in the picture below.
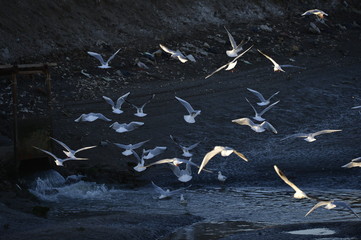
{"points": [[225, 210]]}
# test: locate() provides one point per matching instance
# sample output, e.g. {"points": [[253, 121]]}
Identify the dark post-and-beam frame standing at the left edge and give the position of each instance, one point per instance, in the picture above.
{"points": [[25, 69]]}
